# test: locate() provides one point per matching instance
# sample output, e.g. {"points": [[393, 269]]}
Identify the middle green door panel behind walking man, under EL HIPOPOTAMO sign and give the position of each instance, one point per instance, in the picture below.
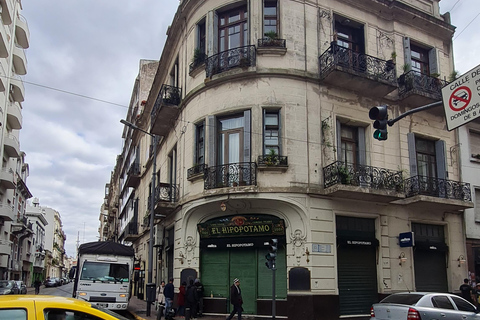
{"points": [[243, 265]]}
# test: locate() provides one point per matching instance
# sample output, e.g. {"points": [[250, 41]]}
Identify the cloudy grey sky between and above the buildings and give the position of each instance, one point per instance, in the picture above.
{"points": [[82, 63]]}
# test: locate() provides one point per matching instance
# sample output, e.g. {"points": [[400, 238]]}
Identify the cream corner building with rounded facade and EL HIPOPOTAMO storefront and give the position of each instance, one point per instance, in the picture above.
{"points": [[263, 107]]}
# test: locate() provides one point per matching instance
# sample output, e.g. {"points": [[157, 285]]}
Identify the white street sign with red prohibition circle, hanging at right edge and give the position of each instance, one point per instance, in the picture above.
{"points": [[461, 99]]}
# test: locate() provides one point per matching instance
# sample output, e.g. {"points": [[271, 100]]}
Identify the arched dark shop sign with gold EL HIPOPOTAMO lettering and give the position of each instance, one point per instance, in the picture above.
{"points": [[242, 226]]}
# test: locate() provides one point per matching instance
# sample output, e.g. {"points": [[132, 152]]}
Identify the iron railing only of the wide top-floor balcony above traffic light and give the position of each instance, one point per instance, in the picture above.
{"points": [[356, 62]]}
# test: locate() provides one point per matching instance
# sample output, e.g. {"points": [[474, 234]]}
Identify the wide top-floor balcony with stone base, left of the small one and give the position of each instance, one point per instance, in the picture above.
{"points": [[356, 71]]}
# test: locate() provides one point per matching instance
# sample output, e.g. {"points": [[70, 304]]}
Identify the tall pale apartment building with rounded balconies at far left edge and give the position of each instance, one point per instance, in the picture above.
{"points": [[14, 241]]}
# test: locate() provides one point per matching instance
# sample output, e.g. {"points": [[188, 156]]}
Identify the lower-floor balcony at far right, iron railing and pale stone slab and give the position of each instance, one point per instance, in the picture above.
{"points": [[432, 193]]}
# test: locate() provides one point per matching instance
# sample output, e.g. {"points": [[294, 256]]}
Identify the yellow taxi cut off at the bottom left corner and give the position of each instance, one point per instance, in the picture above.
{"points": [[38, 307]]}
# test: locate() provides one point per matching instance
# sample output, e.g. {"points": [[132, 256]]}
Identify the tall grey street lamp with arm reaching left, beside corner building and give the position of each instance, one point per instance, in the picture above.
{"points": [[150, 285]]}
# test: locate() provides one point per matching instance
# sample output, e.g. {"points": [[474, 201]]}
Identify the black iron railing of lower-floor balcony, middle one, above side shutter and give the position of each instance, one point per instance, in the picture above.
{"points": [[363, 176]]}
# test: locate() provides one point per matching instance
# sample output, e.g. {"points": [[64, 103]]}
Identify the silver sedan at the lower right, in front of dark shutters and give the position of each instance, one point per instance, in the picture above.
{"points": [[424, 306]]}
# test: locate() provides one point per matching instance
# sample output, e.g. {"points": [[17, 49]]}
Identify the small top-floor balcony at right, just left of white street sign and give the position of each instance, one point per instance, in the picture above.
{"points": [[419, 89]]}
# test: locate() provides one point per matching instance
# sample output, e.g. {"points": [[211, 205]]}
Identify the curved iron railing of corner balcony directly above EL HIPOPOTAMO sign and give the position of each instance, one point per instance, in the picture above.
{"points": [[230, 175]]}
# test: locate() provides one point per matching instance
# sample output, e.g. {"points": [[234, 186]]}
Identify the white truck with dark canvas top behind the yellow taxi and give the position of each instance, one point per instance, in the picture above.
{"points": [[104, 273]]}
